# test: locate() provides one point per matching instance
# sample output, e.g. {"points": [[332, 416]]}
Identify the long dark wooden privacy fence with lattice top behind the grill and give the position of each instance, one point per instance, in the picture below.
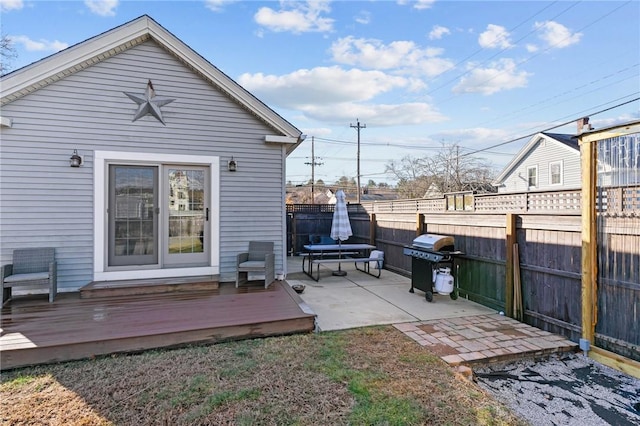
{"points": [[547, 231]]}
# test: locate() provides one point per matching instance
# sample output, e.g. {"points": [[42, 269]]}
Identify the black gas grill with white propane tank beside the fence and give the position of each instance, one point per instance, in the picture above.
{"points": [[432, 261]]}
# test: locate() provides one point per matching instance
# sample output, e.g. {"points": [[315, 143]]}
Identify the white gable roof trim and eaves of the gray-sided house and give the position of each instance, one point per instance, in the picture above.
{"points": [[103, 46]]}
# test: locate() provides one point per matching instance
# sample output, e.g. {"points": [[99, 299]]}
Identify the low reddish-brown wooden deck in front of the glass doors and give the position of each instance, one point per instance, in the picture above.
{"points": [[34, 331]]}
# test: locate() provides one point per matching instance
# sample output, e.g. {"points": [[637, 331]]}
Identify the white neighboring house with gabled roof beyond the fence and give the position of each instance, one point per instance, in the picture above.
{"points": [[548, 162]]}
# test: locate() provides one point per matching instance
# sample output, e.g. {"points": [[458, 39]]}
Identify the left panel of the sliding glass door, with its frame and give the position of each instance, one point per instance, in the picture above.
{"points": [[132, 218]]}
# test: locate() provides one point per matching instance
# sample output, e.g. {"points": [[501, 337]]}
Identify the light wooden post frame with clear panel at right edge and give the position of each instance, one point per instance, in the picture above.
{"points": [[610, 162]]}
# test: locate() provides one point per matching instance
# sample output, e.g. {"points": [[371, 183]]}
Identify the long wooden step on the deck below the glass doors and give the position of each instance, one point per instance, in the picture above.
{"points": [[148, 286]]}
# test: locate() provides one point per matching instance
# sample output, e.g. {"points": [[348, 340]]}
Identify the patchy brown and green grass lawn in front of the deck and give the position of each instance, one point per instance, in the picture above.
{"points": [[365, 376]]}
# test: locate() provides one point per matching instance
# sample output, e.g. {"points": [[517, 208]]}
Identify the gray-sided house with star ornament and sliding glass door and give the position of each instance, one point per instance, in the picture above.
{"points": [[157, 130]]}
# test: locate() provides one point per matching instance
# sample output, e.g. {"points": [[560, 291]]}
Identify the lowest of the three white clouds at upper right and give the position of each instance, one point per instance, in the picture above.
{"points": [[501, 75]]}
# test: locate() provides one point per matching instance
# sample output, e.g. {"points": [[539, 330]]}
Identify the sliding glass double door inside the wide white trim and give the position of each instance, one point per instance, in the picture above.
{"points": [[158, 215]]}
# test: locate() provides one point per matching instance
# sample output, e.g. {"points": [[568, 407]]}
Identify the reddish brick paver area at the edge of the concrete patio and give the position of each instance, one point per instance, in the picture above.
{"points": [[483, 338]]}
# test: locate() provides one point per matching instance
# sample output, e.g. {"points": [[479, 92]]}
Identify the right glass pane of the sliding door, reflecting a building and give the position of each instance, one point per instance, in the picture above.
{"points": [[186, 211]]}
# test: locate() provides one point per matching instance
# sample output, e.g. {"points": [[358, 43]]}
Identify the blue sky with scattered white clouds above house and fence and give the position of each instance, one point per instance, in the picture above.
{"points": [[416, 75]]}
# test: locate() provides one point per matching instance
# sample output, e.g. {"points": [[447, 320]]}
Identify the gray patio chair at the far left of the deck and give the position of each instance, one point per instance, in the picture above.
{"points": [[31, 268]]}
